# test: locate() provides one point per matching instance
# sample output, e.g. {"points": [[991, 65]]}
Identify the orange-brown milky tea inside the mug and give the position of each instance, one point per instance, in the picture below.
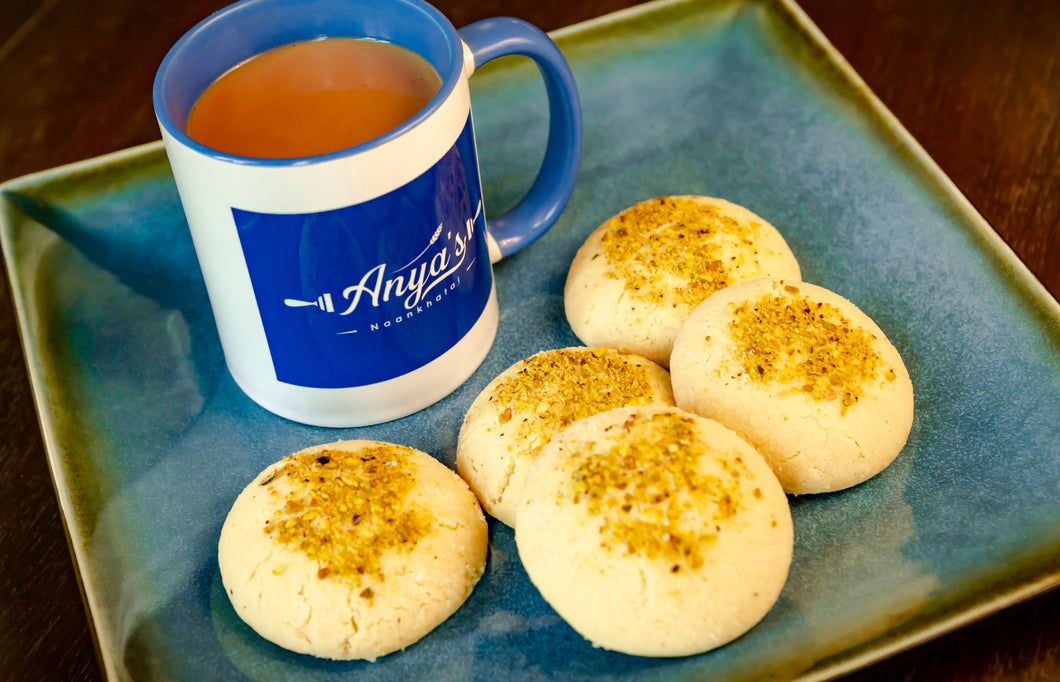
{"points": [[313, 97]]}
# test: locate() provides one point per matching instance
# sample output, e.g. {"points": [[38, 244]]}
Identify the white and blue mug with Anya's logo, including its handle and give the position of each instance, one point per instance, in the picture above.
{"points": [[357, 288]]}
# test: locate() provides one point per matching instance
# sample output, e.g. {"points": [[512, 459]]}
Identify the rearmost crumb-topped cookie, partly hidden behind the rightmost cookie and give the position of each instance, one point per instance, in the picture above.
{"points": [[640, 275]]}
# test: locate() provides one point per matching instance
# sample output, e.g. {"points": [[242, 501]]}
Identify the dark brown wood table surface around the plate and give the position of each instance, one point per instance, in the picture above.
{"points": [[976, 82]]}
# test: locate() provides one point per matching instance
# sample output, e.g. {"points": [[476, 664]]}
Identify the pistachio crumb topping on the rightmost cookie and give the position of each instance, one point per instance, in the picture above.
{"points": [[788, 339]]}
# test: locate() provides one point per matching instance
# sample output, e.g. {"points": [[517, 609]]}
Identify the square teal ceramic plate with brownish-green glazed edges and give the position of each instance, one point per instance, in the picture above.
{"points": [[150, 441]]}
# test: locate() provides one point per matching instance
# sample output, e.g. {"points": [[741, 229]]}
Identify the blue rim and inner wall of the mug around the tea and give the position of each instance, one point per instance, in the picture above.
{"points": [[218, 22]]}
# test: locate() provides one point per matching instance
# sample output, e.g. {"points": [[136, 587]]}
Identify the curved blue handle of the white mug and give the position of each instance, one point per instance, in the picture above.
{"points": [[536, 213]]}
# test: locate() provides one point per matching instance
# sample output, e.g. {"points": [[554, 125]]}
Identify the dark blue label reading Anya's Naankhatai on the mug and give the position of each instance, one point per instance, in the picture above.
{"points": [[367, 293]]}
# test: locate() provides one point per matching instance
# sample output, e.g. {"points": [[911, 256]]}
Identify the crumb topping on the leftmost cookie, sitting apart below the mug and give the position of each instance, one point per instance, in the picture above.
{"points": [[346, 510]]}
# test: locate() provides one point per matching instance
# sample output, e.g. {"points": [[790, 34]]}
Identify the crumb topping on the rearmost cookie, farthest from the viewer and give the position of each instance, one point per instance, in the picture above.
{"points": [[674, 238]]}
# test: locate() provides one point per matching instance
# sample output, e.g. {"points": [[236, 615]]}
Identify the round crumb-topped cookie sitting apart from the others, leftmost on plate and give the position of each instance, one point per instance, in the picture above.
{"points": [[352, 550]]}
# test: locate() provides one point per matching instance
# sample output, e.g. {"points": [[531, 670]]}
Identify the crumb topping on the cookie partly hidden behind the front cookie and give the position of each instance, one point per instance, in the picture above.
{"points": [[581, 382]]}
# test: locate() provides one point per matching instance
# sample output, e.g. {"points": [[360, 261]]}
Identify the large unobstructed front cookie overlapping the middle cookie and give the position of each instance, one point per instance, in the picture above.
{"points": [[655, 532]]}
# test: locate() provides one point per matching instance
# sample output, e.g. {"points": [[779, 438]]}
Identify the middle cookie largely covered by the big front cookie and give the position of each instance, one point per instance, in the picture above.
{"points": [[521, 410]]}
